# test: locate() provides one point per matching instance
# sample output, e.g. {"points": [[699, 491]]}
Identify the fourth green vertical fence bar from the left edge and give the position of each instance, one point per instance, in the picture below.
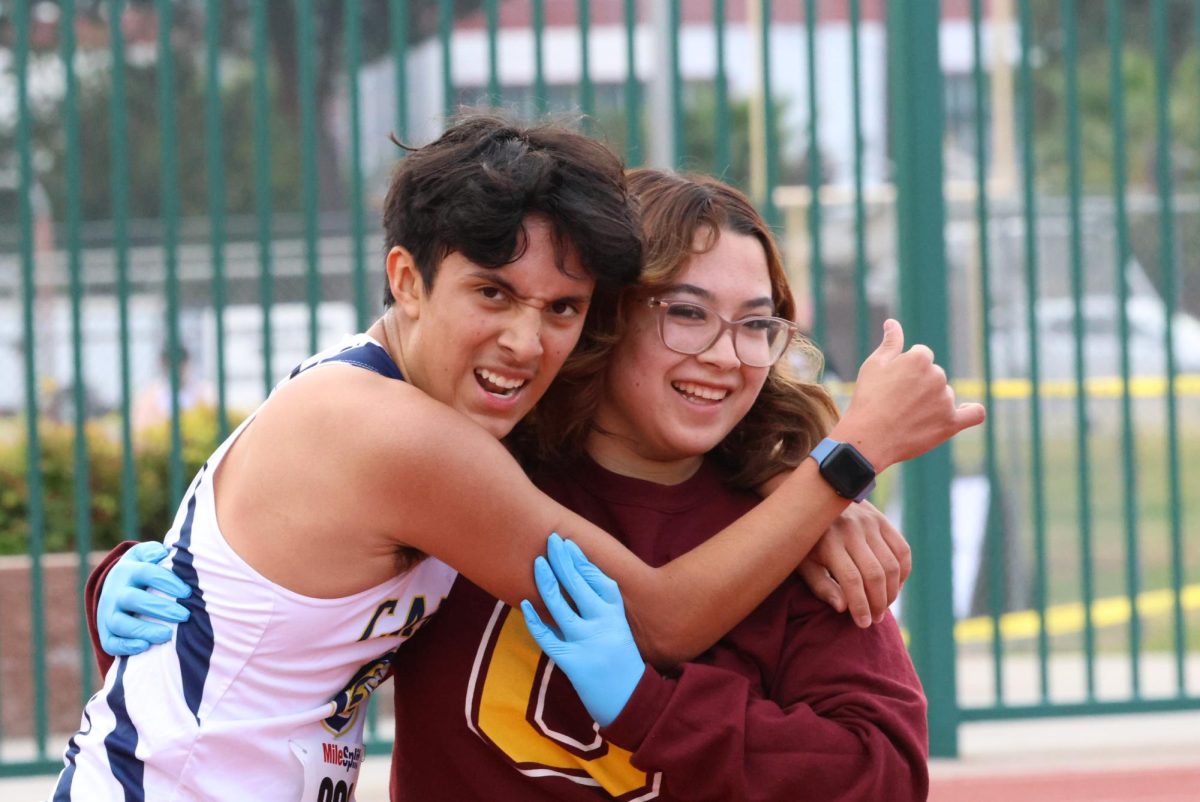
{"points": [[170, 211]]}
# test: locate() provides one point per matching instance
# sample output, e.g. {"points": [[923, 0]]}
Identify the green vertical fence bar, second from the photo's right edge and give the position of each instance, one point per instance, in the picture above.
{"points": [[1129, 440]]}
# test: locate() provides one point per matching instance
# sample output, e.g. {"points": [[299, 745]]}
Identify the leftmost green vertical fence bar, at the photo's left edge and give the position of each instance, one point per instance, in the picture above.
{"points": [[34, 448]]}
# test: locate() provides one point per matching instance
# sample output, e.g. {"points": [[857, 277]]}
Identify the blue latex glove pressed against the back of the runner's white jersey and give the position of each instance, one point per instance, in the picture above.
{"points": [[127, 596]]}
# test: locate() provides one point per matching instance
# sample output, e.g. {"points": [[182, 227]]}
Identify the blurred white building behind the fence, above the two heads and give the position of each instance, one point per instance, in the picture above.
{"points": [[608, 51]]}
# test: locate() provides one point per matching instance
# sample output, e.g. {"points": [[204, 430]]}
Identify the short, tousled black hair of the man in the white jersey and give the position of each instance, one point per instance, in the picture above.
{"points": [[471, 190]]}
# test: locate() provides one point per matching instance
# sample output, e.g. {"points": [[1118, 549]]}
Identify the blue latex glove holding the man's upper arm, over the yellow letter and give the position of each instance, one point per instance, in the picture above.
{"points": [[595, 648]]}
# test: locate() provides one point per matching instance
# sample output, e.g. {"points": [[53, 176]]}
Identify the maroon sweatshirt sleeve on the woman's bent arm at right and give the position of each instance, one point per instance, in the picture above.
{"points": [[844, 720]]}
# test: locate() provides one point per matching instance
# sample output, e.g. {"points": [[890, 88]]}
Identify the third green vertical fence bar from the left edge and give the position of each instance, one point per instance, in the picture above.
{"points": [[121, 190]]}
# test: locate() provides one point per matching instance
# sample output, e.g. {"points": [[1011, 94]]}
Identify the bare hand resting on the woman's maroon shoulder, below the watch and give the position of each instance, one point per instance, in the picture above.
{"points": [[860, 565]]}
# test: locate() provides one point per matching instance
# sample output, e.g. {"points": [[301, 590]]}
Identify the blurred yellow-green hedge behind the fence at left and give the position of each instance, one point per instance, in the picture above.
{"points": [[152, 464]]}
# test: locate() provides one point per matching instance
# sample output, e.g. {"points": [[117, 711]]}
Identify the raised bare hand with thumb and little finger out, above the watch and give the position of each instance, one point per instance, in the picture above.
{"points": [[903, 405]]}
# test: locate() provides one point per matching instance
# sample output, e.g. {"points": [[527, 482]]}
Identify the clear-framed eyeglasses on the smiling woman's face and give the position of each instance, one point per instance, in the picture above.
{"points": [[692, 330]]}
